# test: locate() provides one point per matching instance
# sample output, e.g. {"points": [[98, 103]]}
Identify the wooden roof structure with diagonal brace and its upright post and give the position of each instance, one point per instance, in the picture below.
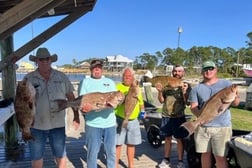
{"points": [[15, 14]]}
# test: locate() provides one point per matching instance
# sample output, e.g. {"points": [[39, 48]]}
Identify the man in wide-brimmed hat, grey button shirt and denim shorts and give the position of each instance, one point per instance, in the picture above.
{"points": [[50, 84]]}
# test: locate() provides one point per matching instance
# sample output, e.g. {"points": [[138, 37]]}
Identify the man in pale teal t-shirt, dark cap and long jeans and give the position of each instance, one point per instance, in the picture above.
{"points": [[99, 126]]}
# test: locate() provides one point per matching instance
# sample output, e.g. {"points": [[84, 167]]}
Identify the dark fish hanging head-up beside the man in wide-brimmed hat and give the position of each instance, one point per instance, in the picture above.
{"points": [[24, 105]]}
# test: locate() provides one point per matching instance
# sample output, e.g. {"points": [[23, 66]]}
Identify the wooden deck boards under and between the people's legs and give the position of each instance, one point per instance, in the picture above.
{"points": [[146, 156]]}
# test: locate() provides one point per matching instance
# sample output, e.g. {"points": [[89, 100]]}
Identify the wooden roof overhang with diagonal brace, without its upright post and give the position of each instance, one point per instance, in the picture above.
{"points": [[15, 14]]}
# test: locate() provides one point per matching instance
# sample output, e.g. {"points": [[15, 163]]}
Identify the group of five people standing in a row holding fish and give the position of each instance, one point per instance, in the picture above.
{"points": [[105, 126]]}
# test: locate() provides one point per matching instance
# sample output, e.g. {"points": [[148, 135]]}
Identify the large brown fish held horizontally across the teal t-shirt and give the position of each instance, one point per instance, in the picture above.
{"points": [[97, 100]]}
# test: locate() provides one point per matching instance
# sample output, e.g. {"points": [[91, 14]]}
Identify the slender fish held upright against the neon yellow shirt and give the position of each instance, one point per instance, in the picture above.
{"points": [[130, 102]]}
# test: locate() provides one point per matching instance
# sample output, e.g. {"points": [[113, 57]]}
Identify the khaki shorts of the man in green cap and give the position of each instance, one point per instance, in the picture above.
{"points": [[213, 139]]}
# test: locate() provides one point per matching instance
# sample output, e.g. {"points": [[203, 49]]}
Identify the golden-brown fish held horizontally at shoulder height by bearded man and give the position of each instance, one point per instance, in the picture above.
{"points": [[166, 81]]}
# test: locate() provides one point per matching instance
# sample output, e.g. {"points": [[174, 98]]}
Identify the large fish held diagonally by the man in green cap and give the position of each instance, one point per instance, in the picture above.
{"points": [[215, 106]]}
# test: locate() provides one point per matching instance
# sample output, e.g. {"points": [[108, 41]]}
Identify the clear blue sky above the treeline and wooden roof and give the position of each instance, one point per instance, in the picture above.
{"points": [[134, 27]]}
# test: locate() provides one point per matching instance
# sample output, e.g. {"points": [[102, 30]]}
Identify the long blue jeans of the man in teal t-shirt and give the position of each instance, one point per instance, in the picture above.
{"points": [[94, 137]]}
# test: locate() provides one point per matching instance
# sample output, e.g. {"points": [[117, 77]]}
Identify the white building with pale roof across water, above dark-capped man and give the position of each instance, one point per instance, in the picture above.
{"points": [[117, 63]]}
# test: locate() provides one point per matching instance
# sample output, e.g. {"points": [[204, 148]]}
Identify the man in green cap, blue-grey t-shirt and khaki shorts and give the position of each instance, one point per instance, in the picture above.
{"points": [[213, 136]]}
